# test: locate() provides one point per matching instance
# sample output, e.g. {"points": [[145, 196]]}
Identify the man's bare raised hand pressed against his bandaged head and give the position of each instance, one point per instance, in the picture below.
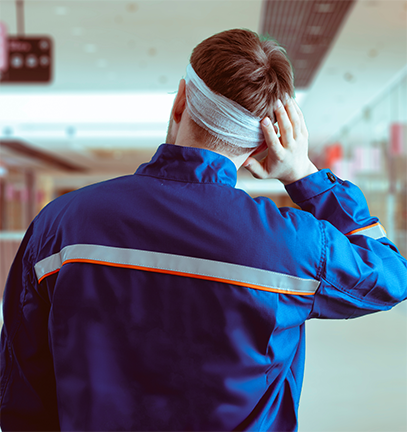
{"points": [[287, 159]]}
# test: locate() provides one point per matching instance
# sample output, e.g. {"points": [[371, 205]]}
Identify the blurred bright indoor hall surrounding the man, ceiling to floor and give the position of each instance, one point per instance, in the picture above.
{"points": [[86, 88]]}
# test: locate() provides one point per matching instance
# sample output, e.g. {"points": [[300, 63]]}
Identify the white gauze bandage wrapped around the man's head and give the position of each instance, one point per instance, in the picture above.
{"points": [[220, 116]]}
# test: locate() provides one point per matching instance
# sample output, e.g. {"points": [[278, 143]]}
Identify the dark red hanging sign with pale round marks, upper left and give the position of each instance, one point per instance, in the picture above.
{"points": [[29, 60]]}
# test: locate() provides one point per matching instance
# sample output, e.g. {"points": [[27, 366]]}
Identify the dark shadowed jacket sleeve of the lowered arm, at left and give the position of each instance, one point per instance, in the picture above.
{"points": [[27, 383]]}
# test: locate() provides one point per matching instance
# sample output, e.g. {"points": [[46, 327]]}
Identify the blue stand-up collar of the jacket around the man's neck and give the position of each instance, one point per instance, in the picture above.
{"points": [[190, 164]]}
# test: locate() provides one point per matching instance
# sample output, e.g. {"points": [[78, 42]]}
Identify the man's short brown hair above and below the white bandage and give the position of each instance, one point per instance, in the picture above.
{"points": [[251, 71]]}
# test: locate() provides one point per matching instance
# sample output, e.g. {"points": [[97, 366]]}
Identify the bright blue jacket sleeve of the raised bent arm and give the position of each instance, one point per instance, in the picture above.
{"points": [[362, 270]]}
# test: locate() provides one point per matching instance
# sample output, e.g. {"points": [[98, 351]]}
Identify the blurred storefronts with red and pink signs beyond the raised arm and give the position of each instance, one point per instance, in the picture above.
{"points": [[371, 151]]}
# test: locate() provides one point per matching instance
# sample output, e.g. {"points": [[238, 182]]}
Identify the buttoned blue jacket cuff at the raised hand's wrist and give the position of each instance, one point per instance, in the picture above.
{"points": [[312, 185]]}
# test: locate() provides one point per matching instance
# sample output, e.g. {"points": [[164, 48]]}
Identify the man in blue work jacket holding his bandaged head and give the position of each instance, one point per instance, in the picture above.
{"points": [[169, 300]]}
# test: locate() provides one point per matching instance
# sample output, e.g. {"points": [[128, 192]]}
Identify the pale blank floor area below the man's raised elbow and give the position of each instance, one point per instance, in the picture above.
{"points": [[356, 374]]}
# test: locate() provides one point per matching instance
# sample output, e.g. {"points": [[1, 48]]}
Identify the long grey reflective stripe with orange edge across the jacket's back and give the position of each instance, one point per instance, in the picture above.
{"points": [[178, 265]]}
